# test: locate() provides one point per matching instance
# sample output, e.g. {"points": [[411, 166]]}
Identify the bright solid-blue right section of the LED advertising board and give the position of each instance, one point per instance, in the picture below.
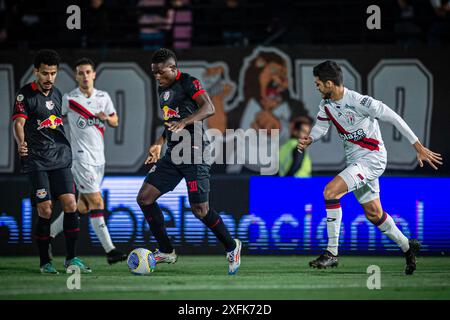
{"points": [[290, 215]]}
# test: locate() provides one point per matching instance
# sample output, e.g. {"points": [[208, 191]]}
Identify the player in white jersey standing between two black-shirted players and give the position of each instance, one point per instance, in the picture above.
{"points": [[87, 110]]}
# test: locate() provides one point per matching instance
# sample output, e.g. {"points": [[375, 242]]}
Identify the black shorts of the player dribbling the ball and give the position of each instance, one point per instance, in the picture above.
{"points": [[164, 175]]}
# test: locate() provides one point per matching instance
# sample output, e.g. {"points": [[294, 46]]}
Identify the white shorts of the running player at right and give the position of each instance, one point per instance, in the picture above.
{"points": [[361, 178]]}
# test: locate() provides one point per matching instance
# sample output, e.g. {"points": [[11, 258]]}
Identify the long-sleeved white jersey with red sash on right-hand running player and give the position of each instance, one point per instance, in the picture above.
{"points": [[355, 118]]}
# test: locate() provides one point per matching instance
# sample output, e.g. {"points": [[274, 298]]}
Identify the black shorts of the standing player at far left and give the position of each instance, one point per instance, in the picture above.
{"points": [[46, 185]]}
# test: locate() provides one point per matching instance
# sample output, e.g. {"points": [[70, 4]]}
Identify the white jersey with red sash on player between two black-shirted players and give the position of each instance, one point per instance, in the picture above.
{"points": [[86, 130]]}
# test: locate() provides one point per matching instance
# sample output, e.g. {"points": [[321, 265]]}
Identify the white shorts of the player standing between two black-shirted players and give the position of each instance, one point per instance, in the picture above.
{"points": [[87, 178]]}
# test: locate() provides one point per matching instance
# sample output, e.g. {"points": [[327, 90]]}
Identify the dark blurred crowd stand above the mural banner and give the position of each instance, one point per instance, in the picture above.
{"points": [[184, 24]]}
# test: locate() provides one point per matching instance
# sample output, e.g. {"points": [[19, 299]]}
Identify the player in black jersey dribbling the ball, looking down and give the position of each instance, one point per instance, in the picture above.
{"points": [[183, 102]]}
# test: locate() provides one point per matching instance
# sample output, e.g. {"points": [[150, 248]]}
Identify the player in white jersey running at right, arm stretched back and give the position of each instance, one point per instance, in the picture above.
{"points": [[355, 117]]}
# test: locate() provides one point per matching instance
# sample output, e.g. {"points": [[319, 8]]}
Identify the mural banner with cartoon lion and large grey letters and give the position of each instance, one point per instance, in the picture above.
{"points": [[260, 88]]}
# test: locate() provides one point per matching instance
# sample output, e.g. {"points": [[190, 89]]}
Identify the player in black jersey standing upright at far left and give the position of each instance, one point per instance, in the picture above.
{"points": [[46, 157]]}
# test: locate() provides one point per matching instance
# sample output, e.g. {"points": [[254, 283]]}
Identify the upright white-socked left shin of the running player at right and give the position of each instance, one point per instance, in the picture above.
{"points": [[334, 218]]}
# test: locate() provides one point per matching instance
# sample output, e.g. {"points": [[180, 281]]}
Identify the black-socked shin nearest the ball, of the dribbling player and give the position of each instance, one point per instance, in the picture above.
{"points": [[155, 219]]}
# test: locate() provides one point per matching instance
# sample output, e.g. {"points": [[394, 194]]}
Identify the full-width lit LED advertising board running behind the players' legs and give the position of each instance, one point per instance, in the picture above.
{"points": [[282, 216]]}
